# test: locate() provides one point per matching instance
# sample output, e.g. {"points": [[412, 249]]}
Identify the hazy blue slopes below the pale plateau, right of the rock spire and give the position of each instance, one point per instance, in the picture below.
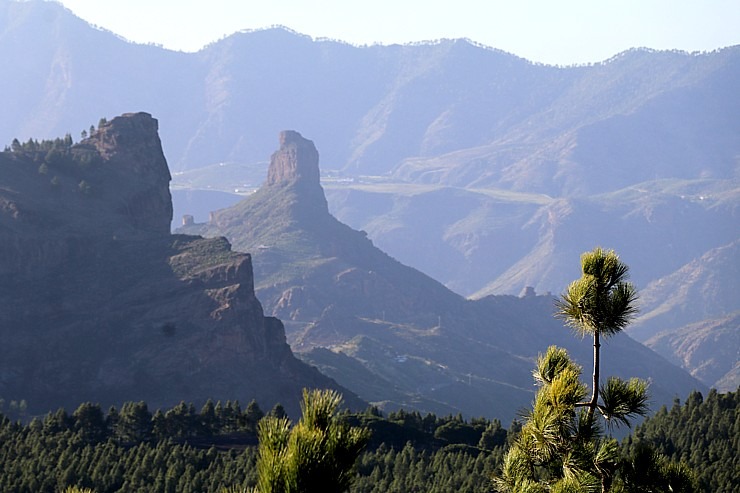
{"points": [[495, 241]]}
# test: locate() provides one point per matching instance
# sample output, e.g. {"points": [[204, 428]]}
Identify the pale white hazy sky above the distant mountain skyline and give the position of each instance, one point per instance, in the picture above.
{"points": [[548, 31]]}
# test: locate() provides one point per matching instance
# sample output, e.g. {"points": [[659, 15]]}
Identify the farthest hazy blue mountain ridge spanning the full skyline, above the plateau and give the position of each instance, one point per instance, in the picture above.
{"points": [[449, 112]]}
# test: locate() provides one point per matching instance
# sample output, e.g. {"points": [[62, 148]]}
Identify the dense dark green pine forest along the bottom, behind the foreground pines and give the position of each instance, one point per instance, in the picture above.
{"points": [[182, 449]]}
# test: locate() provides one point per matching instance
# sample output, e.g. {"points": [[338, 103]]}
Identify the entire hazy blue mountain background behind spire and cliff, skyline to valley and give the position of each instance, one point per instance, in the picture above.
{"points": [[483, 170]]}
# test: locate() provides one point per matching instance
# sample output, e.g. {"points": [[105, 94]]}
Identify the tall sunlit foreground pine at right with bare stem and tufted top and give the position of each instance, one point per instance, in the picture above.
{"points": [[561, 447]]}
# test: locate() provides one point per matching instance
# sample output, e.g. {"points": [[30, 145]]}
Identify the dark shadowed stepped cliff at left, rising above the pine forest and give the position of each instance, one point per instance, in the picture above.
{"points": [[99, 302]]}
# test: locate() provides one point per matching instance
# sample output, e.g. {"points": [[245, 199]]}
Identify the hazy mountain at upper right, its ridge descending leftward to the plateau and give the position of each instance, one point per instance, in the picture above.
{"points": [[641, 116]]}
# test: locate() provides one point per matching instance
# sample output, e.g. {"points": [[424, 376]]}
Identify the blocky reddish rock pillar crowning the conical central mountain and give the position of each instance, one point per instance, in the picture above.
{"points": [[297, 161]]}
